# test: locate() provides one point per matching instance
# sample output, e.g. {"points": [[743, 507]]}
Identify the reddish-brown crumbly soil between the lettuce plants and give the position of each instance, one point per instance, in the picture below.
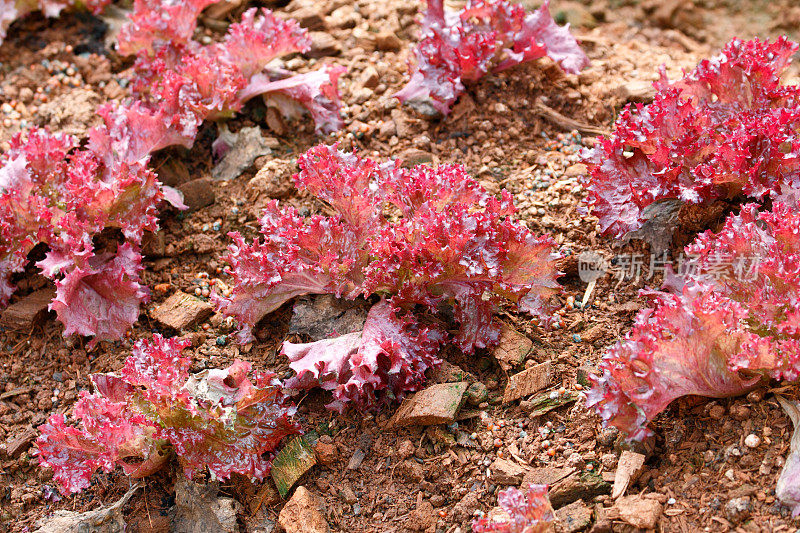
{"points": [[55, 72]]}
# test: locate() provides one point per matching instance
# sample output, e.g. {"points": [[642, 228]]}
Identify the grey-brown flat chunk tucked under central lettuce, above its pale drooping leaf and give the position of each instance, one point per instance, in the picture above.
{"points": [[324, 316]]}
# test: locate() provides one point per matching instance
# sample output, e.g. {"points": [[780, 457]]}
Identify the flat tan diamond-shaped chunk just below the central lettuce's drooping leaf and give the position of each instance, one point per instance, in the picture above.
{"points": [[437, 404]]}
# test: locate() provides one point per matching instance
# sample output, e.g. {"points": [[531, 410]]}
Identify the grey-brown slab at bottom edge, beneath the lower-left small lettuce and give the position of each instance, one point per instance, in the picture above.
{"points": [[198, 509]]}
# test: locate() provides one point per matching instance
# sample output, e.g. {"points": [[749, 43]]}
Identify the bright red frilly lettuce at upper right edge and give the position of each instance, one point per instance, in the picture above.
{"points": [[725, 130]]}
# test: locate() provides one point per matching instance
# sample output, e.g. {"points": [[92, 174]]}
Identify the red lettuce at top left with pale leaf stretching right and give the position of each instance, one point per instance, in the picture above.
{"points": [[181, 83]]}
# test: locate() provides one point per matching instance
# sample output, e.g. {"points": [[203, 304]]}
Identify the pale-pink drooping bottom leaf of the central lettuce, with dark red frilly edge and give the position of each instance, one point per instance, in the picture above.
{"points": [[390, 354]]}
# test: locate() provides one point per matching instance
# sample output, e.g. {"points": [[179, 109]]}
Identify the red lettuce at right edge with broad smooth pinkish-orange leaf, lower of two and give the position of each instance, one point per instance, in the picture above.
{"points": [[734, 323]]}
